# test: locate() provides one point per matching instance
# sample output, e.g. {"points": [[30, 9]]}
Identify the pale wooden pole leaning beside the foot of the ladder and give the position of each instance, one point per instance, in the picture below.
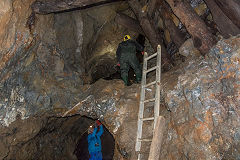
{"points": [[155, 148]]}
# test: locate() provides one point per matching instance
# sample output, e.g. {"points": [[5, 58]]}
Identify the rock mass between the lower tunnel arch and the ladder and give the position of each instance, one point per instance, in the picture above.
{"points": [[117, 107]]}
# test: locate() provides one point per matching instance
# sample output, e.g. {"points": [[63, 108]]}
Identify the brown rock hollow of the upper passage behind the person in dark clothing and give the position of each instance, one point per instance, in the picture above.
{"points": [[86, 48]]}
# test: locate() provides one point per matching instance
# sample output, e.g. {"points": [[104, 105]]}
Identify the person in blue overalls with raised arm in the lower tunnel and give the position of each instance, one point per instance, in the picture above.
{"points": [[94, 141]]}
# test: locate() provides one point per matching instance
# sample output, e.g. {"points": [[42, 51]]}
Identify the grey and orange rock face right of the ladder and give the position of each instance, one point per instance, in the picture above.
{"points": [[204, 122]]}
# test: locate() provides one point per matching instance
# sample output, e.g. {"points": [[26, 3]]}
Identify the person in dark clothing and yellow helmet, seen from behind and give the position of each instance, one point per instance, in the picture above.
{"points": [[126, 57]]}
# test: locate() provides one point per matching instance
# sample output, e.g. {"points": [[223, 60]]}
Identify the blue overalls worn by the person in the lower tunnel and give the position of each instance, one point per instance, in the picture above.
{"points": [[94, 141]]}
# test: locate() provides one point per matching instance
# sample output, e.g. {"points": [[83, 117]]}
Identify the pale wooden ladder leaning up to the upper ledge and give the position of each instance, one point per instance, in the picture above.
{"points": [[143, 101]]}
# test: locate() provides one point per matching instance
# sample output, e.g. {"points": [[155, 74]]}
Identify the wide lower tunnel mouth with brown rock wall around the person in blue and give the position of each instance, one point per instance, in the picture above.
{"points": [[60, 138]]}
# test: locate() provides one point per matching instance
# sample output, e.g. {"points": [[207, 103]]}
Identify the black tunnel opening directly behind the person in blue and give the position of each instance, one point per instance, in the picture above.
{"points": [[108, 145]]}
